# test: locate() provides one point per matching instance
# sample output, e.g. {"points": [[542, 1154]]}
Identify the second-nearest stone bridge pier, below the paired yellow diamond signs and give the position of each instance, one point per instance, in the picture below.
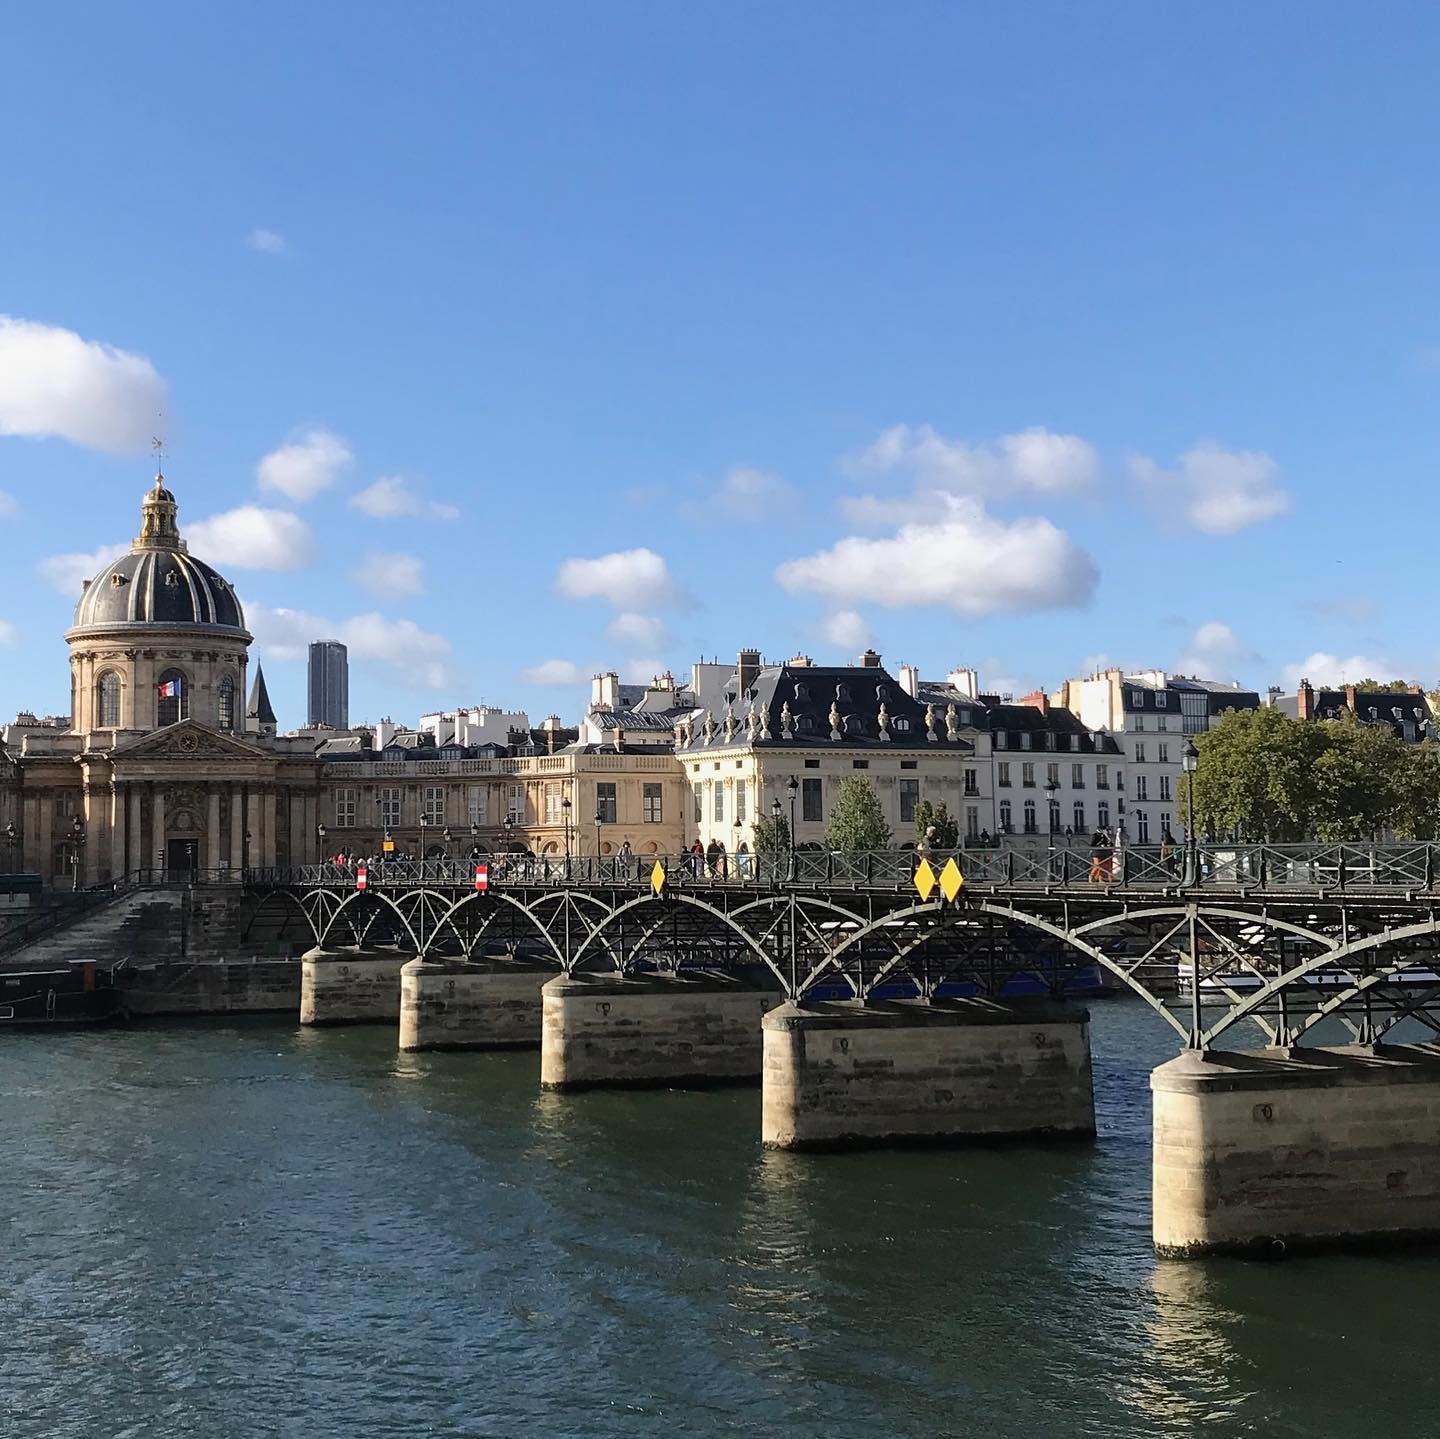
{"points": [[843, 1075]]}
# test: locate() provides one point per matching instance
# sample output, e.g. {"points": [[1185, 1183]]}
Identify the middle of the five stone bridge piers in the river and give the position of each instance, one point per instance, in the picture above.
{"points": [[606, 1031]]}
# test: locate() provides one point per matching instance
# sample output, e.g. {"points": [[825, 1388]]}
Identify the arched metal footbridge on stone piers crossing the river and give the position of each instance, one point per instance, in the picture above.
{"points": [[879, 998]]}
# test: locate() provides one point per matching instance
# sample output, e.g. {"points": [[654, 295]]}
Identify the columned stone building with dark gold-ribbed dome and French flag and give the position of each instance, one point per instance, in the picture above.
{"points": [[163, 767]]}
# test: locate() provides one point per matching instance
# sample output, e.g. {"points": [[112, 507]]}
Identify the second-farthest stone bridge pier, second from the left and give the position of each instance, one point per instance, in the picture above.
{"points": [[472, 1005]]}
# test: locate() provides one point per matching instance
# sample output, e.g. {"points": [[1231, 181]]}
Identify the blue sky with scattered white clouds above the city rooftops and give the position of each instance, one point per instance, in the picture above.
{"points": [[513, 342]]}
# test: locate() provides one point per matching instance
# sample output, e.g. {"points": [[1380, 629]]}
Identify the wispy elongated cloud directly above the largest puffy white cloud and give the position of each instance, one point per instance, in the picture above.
{"points": [[1035, 460]]}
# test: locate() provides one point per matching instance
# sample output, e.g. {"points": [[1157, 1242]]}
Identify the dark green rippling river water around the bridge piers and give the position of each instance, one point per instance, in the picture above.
{"points": [[246, 1229]]}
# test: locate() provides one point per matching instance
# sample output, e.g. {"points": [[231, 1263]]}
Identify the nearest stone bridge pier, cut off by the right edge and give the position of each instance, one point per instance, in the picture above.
{"points": [[1266, 1152]]}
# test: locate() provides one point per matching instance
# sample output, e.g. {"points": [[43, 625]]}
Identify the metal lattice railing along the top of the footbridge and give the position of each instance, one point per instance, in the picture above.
{"points": [[1320, 869]]}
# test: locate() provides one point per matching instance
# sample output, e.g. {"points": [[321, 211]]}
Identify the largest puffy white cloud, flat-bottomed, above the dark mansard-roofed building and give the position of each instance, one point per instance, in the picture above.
{"points": [[973, 562]]}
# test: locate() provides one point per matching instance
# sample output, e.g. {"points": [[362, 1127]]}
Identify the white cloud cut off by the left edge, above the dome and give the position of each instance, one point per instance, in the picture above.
{"points": [[55, 384]]}
